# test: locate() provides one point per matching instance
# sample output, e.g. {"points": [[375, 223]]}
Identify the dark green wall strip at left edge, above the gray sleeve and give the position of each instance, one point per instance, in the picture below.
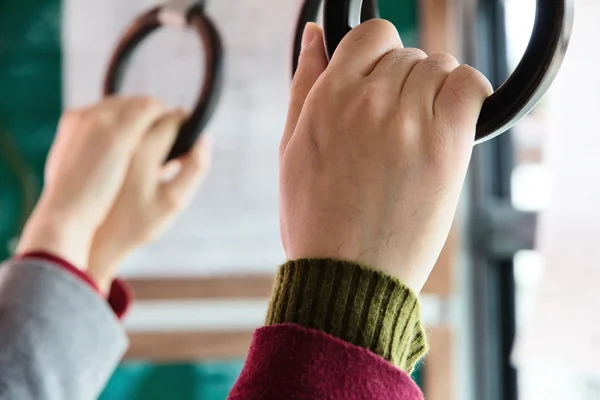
{"points": [[30, 100]]}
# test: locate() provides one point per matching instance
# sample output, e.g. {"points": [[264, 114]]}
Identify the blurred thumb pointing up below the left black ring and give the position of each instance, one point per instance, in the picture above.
{"points": [[177, 191]]}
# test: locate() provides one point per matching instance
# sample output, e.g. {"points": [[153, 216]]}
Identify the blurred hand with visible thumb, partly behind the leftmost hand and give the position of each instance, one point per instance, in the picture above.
{"points": [[151, 197]]}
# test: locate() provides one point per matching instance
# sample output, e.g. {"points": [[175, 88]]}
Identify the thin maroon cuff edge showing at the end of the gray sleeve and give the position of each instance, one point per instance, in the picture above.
{"points": [[120, 296]]}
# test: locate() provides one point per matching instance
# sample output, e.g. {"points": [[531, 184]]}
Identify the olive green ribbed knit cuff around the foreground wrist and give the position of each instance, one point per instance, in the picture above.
{"points": [[364, 307]]}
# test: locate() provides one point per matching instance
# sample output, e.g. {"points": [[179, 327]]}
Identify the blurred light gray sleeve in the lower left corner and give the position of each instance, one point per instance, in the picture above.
{"points": [[58, 339]]}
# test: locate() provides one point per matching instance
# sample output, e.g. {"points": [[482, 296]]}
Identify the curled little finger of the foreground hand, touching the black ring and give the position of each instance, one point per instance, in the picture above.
{"points": [[461, 97]]}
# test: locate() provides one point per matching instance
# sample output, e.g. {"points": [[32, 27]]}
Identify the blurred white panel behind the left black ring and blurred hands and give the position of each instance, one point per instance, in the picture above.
{"points": [[232, 225]]}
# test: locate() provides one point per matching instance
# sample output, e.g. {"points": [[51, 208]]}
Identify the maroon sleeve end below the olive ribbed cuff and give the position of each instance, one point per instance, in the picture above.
{"points": [[312, 364]]}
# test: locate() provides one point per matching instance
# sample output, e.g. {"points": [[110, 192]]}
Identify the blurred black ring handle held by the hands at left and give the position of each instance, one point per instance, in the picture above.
{"points": [[206, 104]]}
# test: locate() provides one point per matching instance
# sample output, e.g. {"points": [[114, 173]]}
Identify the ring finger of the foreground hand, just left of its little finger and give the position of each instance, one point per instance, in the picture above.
{"points": [[425, 82]]}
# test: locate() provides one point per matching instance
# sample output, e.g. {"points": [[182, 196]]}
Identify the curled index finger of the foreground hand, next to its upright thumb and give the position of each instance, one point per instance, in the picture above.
{"points": [[363, 48]]}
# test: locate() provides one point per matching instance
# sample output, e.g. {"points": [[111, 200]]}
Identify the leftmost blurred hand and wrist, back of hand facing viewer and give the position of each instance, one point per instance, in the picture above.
{"points": [[85, 170]]}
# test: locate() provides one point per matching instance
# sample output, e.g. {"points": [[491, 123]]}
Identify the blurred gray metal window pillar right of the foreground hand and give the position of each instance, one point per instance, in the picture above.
{"points": [[495, 230]]}
